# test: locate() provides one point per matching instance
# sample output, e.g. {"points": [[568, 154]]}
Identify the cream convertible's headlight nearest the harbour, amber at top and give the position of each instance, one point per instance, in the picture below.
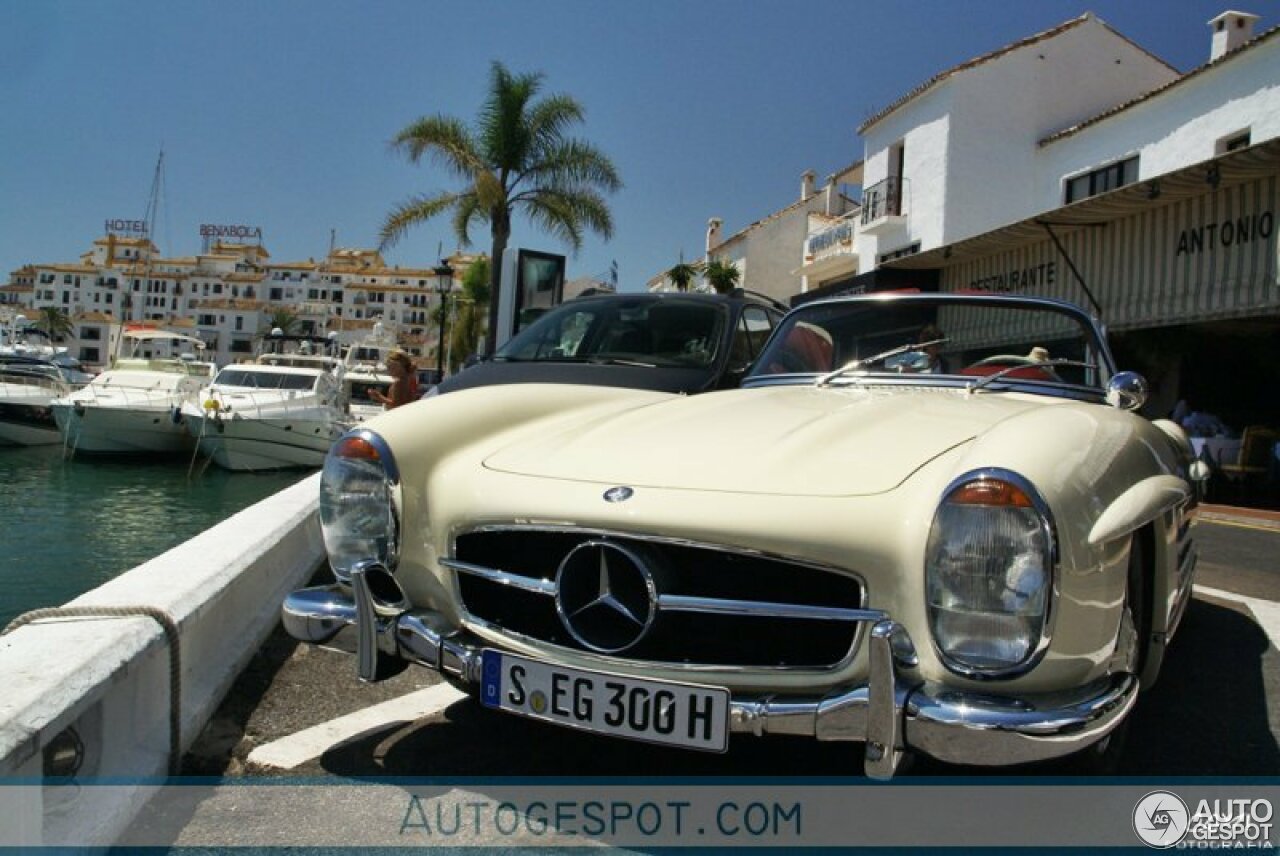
{"points": [[359, 509]]}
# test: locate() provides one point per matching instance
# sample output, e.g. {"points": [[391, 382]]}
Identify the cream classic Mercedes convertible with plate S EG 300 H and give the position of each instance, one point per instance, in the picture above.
{"points": [[926, 524]]}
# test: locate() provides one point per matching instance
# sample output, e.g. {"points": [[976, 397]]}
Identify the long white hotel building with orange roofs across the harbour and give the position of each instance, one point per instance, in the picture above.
{"points": [[230, 295]]}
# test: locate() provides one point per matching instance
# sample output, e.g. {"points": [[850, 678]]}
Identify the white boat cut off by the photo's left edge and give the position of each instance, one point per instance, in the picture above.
{"points": [[28, 388]]}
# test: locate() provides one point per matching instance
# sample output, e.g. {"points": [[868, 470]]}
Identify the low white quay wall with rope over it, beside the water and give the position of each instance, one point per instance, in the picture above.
{"points": [[109, 678]]}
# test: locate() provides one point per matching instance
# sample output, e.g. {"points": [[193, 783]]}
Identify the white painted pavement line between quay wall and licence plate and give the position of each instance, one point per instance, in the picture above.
{"points": [[313, 743]]}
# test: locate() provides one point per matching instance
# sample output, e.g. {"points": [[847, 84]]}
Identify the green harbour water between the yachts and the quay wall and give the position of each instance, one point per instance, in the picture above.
{"points": [[71, 525]]}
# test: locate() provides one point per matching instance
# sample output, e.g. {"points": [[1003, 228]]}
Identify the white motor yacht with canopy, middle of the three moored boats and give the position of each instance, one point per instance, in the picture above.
{"points": [[132, 408]]}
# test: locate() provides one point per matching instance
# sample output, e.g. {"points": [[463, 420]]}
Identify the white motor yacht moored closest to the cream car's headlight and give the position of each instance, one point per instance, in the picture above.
{"points": [[281, 411]]}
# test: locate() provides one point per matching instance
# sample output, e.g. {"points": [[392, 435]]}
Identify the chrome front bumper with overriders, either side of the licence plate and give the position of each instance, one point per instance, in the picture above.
{"points": [[890, 713]]}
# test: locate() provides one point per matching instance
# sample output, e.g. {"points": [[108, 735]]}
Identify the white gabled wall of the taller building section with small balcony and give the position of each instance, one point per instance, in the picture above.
{"points": [[972, 140]]}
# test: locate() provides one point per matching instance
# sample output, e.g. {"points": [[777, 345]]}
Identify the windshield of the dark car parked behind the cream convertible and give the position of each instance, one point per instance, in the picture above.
{"points": [[642, 331]]}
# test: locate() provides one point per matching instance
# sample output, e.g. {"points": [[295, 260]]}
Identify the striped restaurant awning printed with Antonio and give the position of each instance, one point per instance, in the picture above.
{"points": [[1195, 245]]}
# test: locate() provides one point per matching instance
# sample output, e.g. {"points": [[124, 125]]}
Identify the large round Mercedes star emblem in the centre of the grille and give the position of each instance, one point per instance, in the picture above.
{"points": [[606, 597]]}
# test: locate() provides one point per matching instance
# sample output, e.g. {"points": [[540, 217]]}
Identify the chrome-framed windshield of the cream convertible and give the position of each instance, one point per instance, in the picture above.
{"points": [[979, 340]]}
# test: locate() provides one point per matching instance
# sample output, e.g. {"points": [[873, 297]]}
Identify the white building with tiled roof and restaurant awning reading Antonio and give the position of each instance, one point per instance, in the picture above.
{"points": [[1077, 164]]}
